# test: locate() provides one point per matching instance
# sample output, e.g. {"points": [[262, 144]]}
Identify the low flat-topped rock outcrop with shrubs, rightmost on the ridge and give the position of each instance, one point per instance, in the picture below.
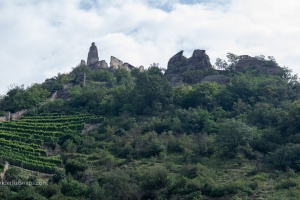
{"points": [[268, 67]]}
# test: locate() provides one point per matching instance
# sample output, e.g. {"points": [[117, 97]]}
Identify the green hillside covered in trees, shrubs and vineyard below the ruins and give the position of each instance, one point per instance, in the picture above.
{"points": [[119, 134]]}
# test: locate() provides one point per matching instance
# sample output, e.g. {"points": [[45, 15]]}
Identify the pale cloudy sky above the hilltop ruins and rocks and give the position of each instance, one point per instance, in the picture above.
{"points": [[40, 38]]}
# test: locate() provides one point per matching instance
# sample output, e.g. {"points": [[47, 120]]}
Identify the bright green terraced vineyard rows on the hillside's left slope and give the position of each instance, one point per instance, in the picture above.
{"points": [[23, 142]]}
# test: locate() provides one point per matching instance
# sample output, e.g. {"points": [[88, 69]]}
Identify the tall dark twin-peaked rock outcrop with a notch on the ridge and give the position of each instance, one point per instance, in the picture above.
{"points": [[179, 66]]}
